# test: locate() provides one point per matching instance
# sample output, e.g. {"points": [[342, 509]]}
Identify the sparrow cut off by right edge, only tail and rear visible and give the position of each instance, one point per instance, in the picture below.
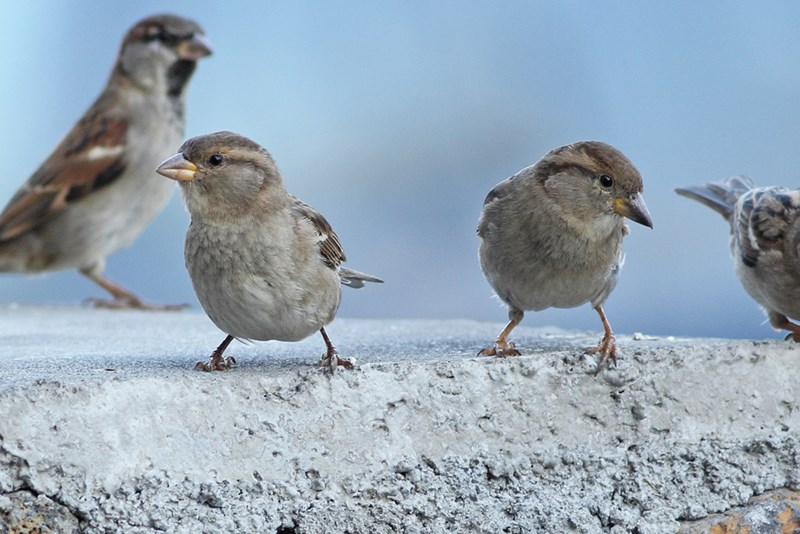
{"points": [[765, 236]]}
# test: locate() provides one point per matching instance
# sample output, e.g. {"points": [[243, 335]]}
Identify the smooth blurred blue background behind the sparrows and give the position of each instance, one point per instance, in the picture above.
{"points": [[395, 118]]}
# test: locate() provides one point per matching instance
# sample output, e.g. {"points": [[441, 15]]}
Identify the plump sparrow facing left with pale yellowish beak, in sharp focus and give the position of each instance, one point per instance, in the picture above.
{"points": [[263, 264]]}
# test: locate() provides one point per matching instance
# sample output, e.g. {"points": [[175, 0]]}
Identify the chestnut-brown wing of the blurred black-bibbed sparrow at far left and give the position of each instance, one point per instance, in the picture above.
{"points": [[90, 157]]}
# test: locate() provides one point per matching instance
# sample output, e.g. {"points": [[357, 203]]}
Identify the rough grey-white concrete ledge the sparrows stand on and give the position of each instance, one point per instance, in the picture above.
{"points": [[105, 427]]}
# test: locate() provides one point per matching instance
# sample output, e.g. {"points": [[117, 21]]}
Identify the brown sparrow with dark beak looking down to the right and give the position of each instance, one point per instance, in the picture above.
{"points": [[551, 235]]}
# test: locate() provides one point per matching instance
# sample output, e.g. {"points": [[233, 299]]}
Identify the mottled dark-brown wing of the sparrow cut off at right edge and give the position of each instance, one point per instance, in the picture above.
{"points": [[762, 220]]}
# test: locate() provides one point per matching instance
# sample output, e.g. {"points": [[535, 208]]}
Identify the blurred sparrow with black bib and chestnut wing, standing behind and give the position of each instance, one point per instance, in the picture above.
{"points": [[97, 191]]}
